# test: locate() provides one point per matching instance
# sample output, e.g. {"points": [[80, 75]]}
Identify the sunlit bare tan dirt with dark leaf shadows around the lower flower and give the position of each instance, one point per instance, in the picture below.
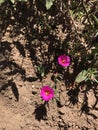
{"points": [[21, 107]]}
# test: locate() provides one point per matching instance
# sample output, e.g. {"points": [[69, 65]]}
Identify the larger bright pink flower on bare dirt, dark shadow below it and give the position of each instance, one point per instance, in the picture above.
{"points": [[47, 93]]}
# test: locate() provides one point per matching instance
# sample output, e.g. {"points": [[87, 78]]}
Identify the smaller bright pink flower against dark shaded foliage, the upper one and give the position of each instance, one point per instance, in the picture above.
{"points": [[64, 60]]}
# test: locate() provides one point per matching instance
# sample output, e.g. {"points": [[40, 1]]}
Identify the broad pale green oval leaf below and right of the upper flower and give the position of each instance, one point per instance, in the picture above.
{"points": [[81, 76]]}
